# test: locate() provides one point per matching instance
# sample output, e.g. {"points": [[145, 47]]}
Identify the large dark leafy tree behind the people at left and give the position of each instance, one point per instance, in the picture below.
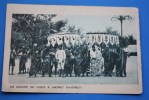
{"points": [[34, 29]]}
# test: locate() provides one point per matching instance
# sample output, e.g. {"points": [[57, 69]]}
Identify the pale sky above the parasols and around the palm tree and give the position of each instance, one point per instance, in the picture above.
{"points": [[91, 23]]}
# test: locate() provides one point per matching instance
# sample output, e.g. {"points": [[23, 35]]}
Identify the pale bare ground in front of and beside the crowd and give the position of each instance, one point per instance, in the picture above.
{"points": [[25, 79]]}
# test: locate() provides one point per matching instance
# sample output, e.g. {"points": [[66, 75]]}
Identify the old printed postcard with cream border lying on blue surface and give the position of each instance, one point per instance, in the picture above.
{"points": [[71, 50]]}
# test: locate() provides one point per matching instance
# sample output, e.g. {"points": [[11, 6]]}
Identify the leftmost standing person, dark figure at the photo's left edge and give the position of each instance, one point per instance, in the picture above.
{"points": [[12, 61]]}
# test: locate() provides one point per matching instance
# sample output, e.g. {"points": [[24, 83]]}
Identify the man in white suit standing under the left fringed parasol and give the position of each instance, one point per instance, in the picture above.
{"points": [[60, 57]]}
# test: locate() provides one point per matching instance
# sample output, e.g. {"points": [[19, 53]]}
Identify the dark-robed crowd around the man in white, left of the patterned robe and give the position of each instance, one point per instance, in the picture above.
{"points": [[64, 60]]}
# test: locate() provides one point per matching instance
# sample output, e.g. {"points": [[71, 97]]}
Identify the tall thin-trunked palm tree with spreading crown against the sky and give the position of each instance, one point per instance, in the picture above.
{"points": [[121, 18]]}
